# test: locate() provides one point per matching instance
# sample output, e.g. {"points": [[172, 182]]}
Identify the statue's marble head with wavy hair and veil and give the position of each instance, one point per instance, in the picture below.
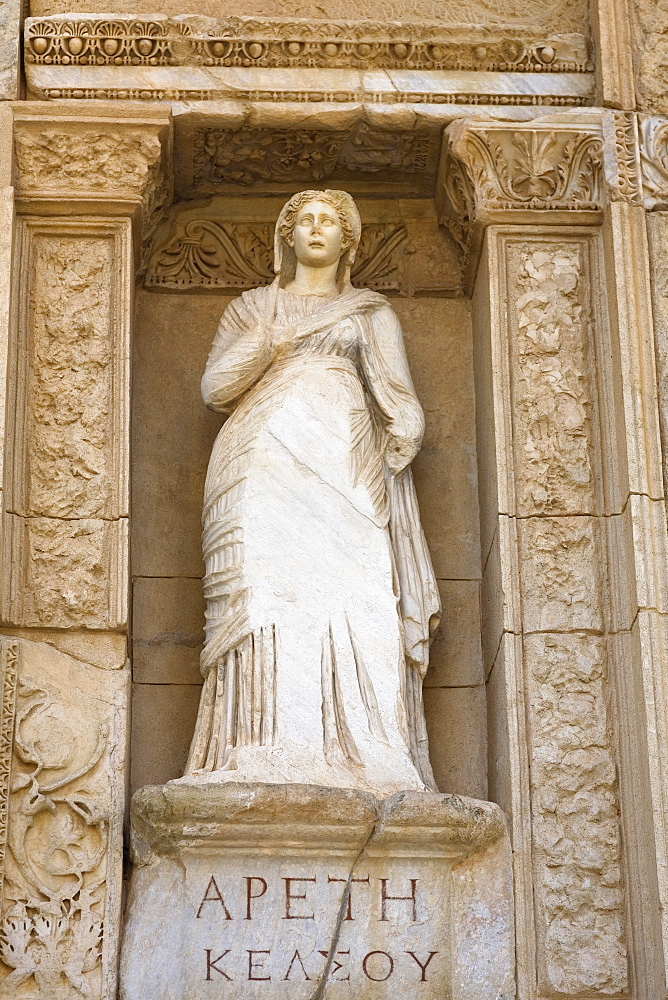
{"points": [[317, 228]]}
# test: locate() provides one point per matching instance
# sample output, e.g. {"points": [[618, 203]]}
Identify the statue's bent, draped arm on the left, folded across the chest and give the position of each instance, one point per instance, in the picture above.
{"points": [[240, 355]]}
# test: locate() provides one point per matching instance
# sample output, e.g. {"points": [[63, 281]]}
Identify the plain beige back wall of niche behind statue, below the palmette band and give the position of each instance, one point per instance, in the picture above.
{"points": [[172, 437]]}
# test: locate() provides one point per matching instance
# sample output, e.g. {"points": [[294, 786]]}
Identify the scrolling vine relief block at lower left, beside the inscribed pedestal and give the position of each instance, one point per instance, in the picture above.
{"points": [[57, 863]]}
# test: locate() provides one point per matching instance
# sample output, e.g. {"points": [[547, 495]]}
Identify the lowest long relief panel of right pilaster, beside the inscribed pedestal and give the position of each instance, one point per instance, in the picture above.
{"points": [[577, 851]]}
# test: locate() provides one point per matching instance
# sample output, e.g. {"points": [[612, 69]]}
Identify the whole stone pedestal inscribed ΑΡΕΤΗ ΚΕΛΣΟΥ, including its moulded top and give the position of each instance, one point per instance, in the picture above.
{"points": [[304, 892]]}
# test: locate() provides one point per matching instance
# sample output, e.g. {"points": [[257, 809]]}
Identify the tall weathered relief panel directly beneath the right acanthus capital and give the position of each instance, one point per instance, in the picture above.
{"points": [[551, 385]]}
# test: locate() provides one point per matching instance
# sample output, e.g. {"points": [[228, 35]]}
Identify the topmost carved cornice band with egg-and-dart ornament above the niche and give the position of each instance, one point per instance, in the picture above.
{"points": [[262, 43]]}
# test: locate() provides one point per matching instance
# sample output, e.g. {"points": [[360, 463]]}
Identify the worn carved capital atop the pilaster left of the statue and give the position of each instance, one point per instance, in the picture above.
{"points": [[115, 161]]}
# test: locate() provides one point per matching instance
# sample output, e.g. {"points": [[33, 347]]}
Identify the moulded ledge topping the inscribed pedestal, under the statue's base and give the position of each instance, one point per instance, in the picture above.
{"points": [[193, 816]]}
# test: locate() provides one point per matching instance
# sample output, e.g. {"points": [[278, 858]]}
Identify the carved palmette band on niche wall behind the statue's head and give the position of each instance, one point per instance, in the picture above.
{"points": [[223, 255]]}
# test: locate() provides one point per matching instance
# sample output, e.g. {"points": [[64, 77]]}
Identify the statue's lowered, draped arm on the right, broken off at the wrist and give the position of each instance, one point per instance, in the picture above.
{"points": [[388, 379]]}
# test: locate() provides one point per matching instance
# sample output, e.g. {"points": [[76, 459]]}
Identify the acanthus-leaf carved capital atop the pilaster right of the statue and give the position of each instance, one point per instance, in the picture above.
{"points": [[540, 172]]}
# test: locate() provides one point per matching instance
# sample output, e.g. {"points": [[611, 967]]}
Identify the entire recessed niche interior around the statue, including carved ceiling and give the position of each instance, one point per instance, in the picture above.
{"points": [[213, 243]]}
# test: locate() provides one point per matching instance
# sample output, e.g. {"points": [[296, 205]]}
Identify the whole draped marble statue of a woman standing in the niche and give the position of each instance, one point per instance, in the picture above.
{"points": [[321, 598]]}
